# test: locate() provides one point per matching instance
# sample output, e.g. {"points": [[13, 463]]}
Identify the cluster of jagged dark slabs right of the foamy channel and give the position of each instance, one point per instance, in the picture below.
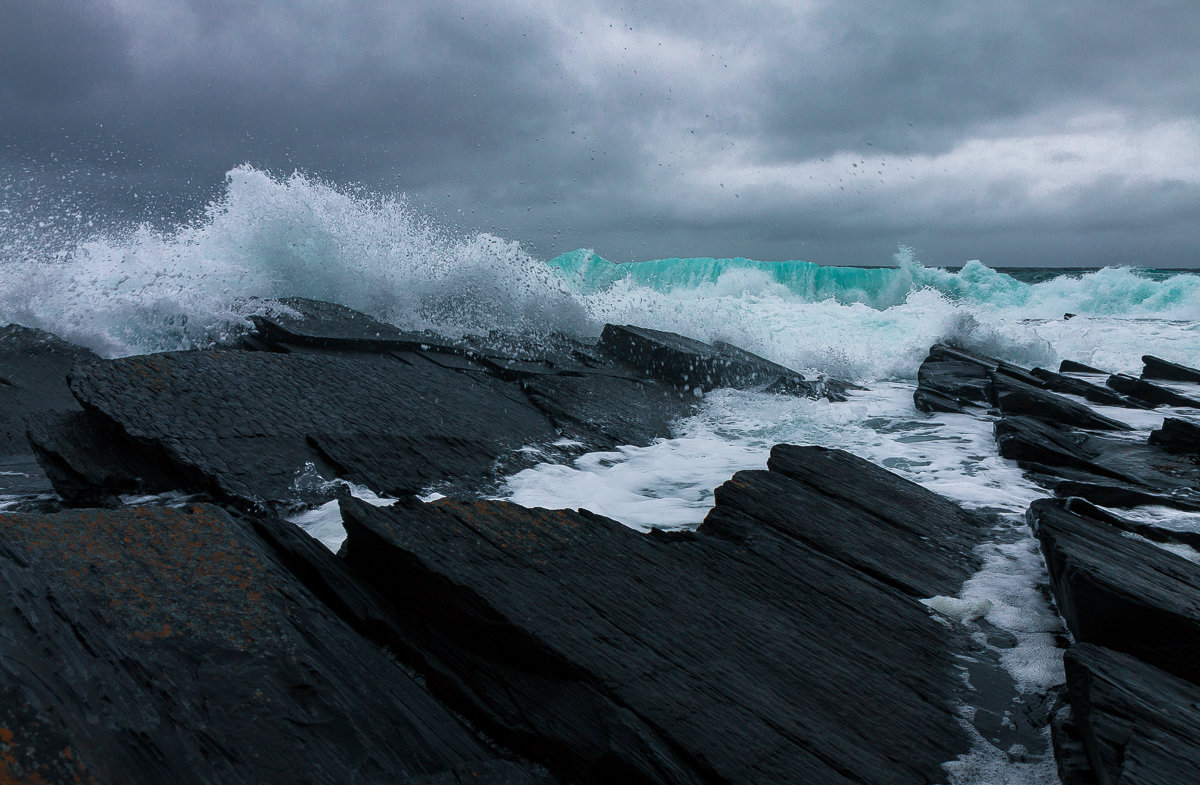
{"points": [[1129, 596]]}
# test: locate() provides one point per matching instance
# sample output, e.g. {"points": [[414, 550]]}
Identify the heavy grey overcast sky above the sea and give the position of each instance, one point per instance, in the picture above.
{"points": [[1016, 133]]}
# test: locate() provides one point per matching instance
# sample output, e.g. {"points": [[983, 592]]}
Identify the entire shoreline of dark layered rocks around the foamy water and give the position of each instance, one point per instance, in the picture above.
{"points": [[785, 640]]}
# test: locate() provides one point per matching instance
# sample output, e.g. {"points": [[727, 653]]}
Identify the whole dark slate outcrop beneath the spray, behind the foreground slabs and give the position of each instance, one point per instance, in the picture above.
{"points": [[329, 393]]}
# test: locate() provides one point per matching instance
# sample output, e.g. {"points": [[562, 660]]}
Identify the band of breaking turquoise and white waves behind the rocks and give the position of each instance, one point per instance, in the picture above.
{"points": [[137, 290]]}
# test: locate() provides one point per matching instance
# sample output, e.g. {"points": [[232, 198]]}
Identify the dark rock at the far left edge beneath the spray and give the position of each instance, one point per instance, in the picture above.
{"points": [[34, 367]]}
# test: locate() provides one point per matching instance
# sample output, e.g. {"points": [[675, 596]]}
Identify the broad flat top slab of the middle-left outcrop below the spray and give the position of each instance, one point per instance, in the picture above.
{"points": [[241, 422]]}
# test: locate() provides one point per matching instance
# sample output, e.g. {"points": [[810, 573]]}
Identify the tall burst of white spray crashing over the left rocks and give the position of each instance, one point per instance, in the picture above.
{"points": [[140, 290]]}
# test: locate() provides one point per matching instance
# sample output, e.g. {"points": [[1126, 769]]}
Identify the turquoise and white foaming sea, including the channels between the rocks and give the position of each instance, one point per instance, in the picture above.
{"points": [[128, 290]]}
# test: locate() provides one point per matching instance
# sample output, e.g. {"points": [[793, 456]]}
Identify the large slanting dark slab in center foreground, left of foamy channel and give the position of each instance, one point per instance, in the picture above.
{"points": [[723, 656]]}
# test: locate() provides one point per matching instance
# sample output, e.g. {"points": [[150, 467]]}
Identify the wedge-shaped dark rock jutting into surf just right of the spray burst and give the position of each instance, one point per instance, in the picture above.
{"points": [[694, 365]]}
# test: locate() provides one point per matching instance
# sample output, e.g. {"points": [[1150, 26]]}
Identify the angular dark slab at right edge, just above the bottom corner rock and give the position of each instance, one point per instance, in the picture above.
{"points": [[1120, 592]]}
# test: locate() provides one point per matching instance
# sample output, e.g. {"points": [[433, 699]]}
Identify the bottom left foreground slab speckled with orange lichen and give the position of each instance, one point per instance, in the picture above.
{"points": [[172, 646]]}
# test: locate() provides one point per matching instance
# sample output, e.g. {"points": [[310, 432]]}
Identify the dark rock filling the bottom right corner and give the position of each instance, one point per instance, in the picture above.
{"points": [[1138, 724]]}
